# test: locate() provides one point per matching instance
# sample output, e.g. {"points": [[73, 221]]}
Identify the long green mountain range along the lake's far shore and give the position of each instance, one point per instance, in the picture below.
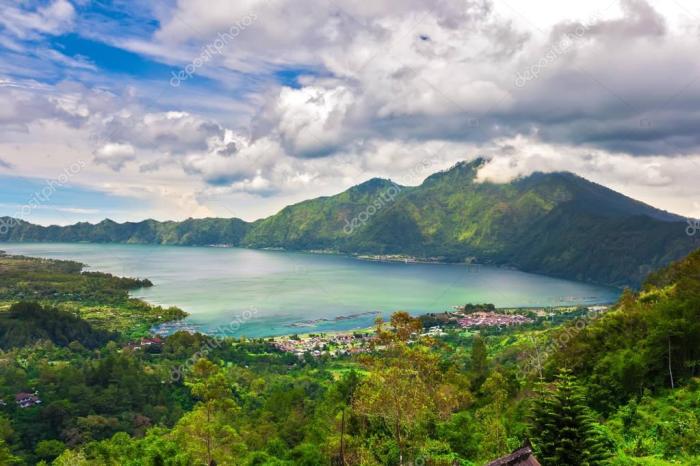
{"points": [[555, 223]]}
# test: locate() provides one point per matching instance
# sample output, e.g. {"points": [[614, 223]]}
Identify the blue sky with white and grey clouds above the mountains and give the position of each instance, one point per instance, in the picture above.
{"points": [[218, 108]]}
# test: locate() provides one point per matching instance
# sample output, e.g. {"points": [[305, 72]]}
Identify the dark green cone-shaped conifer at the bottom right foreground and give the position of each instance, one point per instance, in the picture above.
{"points": [[563, 430]]}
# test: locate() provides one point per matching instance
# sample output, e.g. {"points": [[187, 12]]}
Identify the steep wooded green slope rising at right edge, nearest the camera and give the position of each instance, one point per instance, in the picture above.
{"points": [[647, 342]]}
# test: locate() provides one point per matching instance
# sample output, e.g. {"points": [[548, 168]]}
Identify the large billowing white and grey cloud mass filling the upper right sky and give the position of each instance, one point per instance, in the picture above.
{"points": [[449, 69]]}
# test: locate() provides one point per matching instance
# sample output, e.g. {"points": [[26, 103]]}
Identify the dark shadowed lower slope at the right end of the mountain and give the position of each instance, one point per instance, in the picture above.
{"points": [[570, 241]]}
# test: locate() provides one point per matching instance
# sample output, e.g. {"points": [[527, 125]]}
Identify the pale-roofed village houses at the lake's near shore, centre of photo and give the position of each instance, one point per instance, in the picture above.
{"points": [[320, 344]]}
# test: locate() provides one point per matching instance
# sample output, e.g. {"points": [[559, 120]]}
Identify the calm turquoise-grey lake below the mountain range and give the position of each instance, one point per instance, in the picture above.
{"points": [[254, 293]]}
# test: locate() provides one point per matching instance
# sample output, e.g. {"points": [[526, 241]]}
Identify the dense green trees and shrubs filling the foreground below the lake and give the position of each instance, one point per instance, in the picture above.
{"points": [[617, 388]]}
